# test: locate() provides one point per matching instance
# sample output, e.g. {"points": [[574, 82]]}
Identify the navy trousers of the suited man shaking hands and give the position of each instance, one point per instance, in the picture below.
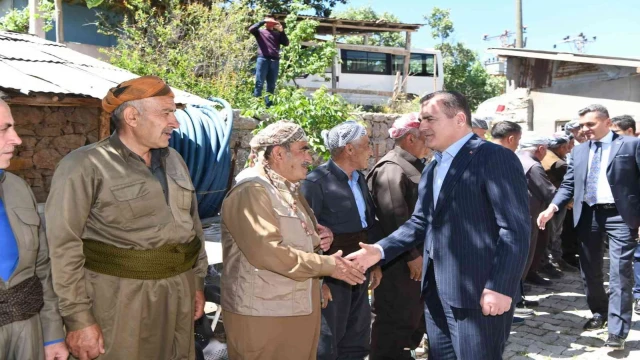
{"points": [[464, 334]]}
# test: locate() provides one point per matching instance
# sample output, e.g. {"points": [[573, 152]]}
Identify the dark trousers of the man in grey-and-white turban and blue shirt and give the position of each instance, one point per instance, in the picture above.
{"points": [[346, 322]]}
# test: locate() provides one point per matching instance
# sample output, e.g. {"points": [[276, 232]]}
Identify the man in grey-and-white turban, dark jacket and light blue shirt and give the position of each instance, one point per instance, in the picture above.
{"points": [[339, 196]]}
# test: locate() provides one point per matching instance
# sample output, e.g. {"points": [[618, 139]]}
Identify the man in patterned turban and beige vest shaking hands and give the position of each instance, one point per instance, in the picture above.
{"points": [[272, 246]]}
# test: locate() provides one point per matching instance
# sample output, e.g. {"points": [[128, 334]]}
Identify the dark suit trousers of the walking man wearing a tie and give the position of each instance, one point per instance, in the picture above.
{"points": [[593, 226]]}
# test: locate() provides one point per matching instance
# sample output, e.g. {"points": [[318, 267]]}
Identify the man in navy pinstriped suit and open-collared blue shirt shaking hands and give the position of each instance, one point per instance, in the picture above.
{"points": [[473, 216]]}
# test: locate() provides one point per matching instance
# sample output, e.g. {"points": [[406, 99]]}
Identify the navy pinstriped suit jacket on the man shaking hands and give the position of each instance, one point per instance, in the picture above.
{"points": [[480, 225]]}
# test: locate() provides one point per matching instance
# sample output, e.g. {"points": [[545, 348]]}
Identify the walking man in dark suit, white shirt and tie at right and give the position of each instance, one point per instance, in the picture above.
{"points": [[603, 178]]}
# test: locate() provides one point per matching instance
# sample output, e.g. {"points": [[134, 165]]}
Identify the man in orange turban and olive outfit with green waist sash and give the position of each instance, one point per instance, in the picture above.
{"points": [[125, 237]]}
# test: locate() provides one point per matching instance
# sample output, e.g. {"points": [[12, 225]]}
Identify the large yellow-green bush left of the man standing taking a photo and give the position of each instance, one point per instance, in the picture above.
{"points": [[205, 50]]}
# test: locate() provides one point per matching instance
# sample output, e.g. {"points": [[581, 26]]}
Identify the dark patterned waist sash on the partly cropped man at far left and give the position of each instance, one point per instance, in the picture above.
{"points": [[21, 302]]}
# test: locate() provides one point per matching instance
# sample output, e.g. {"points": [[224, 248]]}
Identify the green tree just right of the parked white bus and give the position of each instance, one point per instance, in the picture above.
{"points": [[463, 71]]}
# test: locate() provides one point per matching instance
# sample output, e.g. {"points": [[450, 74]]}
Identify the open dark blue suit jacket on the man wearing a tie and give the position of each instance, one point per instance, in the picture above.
{"points": [[623, 173]]}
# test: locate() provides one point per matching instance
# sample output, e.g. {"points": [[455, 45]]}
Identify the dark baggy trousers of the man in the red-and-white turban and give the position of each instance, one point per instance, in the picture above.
{"points": [[398, 310]]}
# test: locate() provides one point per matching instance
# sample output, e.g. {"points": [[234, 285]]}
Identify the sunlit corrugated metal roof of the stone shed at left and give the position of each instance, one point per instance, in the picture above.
{"points": [[29, 64]]}
